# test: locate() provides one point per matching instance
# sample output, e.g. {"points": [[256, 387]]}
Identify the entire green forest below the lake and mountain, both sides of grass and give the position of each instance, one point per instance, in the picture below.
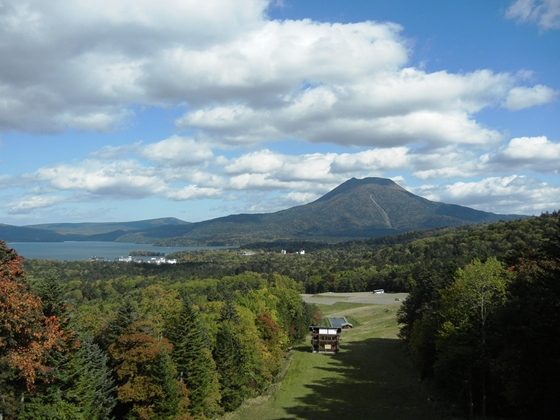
{"points": [[103, 340]]}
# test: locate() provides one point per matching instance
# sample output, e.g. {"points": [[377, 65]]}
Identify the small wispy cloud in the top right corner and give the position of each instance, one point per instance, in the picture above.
{"points": [[545, 13]]}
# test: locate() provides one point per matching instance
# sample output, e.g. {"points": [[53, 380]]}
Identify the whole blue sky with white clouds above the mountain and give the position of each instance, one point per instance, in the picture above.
{"points": [[121, 110]]}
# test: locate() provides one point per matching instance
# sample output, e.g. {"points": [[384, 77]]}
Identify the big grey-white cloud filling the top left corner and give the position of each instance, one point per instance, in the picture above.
{"points": [[83, 64]]}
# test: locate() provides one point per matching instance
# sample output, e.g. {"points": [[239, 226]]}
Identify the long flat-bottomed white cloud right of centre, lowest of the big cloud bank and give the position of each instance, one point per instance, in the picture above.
{"points": [[387, 109]]}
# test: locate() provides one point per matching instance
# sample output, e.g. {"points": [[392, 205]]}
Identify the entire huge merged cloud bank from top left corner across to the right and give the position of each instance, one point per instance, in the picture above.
{"points": [[244, 79]]}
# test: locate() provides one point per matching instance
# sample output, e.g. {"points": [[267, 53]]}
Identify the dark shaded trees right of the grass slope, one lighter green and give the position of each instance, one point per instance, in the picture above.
{"points": [[486, 337]]}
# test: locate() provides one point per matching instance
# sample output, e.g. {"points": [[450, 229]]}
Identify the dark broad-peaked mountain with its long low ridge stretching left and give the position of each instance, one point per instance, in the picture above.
{"points": [[358, 208]]}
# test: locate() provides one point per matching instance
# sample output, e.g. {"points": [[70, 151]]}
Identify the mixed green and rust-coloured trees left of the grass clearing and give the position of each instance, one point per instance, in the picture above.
{"points": [[143, 347]]}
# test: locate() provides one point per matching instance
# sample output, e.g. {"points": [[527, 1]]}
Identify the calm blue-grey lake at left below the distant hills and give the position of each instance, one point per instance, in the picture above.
{"points": [[76, 251]]}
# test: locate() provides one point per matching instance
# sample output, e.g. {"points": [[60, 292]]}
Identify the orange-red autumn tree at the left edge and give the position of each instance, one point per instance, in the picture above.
{"points": [[27, 335]]}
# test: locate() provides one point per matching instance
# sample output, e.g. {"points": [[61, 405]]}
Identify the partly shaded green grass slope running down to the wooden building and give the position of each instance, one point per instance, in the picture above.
{"points": [[370, 378]]}
